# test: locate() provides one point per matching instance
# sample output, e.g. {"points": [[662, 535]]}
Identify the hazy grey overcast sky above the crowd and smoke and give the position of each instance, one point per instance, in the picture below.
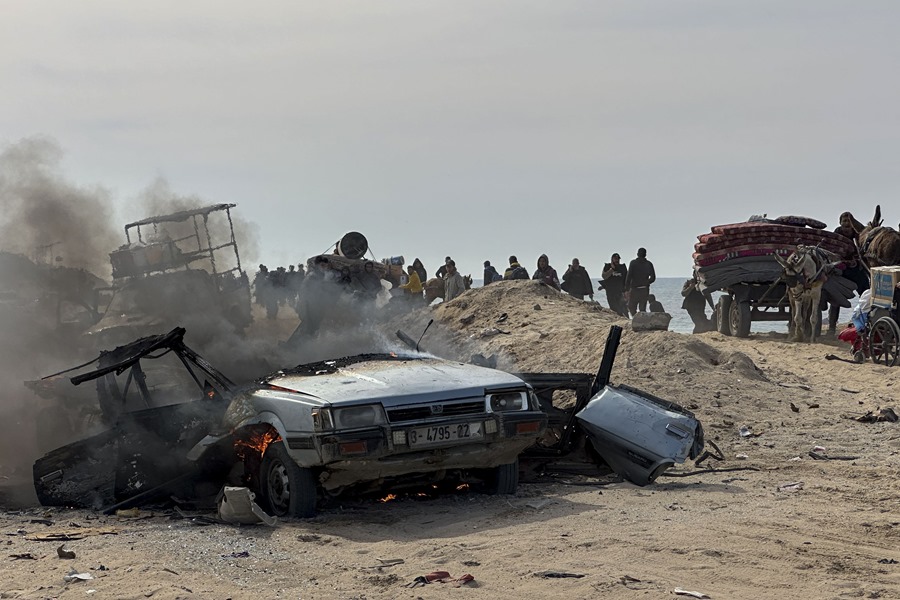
{"points": [[474, 129]]}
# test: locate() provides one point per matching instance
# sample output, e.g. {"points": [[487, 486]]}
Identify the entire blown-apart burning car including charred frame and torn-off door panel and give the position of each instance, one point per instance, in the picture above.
{"points": [[366, 423]]}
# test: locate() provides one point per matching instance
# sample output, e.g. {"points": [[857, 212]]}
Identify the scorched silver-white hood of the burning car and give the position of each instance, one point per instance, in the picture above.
{"points": [[397, 381]]}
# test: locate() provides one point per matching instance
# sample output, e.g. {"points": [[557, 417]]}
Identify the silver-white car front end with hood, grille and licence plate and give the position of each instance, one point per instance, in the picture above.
{"points": [[382, 421]]}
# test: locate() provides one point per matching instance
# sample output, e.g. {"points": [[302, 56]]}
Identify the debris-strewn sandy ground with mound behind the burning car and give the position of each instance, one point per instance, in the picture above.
{"points": [[736, 534]]}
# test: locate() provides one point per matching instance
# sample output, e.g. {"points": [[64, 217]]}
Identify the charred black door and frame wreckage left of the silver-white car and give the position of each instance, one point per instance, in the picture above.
{"points": [[150, 424]]}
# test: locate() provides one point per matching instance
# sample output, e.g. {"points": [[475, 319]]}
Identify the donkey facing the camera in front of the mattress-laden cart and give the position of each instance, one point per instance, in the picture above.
{"points": [[804, 273]]}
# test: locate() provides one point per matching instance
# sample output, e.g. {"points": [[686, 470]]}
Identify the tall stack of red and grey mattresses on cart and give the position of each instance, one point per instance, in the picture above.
{"points": [[743, 252]]}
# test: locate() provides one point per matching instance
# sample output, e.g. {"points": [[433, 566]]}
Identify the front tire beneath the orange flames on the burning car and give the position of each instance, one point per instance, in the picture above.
{"points": [[287, 489]]}
